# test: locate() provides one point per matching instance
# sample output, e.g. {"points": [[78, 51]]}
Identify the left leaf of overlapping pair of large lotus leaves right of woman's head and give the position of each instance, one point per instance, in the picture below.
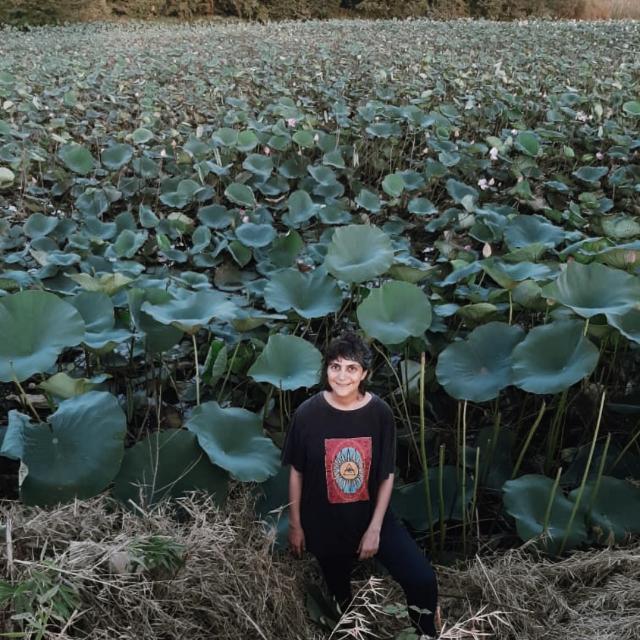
{"points": [[479, 367]]}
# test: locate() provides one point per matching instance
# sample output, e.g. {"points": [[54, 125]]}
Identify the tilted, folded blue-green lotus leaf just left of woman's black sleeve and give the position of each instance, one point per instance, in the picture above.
{"points": [[234, 440]]}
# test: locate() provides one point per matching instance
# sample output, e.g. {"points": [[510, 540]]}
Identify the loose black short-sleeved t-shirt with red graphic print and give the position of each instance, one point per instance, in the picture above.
{"points": [[343, 457]]}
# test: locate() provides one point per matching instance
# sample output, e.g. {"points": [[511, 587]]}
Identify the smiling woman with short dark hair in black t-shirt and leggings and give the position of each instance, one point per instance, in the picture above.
{"points": [[341, 448]]}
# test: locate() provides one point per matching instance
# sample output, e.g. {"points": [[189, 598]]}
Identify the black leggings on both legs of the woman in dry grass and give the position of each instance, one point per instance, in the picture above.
{"points": [[399, 553]]}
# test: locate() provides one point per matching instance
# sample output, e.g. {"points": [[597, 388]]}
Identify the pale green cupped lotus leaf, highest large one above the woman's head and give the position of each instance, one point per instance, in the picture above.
{"points": [[358, 253]]}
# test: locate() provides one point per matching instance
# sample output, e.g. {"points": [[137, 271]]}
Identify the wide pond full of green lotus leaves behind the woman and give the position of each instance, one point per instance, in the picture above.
{"points": [[188, 213]]}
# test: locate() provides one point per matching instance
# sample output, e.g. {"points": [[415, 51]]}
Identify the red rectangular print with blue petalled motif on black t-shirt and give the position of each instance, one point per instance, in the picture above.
{"points": [[347, 462]]}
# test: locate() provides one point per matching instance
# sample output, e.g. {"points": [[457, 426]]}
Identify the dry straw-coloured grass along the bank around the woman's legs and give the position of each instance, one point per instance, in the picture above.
{"points": [[231, 586]]}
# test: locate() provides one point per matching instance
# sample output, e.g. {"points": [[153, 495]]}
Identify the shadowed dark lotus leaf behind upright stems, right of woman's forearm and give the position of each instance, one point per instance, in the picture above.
{"points": [[410, 500]]}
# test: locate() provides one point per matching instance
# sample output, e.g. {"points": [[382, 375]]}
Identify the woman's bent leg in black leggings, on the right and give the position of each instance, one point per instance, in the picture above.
{"points": [[400, 554]]}
